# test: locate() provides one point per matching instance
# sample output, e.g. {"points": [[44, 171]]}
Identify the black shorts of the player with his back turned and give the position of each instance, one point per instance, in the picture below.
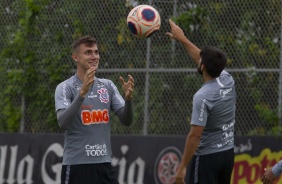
{"points": [[213, 168]]}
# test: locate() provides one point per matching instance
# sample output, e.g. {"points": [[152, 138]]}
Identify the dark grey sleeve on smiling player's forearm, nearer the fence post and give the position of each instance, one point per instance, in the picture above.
{"points": [[125, 114]]}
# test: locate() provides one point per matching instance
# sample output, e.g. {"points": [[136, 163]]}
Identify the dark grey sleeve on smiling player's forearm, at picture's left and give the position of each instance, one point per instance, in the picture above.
{"points": [[66, 116]]}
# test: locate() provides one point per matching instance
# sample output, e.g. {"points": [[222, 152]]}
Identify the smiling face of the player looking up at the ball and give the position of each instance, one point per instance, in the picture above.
{"points": [[87, 57]]}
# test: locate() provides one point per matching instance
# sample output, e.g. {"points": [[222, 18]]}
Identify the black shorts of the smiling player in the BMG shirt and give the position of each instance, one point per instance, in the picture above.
{"points": [[88, 174]]}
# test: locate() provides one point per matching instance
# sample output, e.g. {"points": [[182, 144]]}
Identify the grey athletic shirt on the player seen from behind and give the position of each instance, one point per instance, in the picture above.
{"points": [[214, 109]]}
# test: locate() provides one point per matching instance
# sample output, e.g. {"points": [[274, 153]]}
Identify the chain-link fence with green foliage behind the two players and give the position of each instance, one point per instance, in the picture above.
{"points": [[35, 39]]}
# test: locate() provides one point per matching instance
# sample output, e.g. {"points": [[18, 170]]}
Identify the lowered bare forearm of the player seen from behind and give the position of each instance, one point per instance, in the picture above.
{"points": [[191, 145]]}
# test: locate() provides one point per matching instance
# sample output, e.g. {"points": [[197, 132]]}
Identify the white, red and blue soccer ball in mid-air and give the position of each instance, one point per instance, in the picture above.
{"points": [[143, 21]]}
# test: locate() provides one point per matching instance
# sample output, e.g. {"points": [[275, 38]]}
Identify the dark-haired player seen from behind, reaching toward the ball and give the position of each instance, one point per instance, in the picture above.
{"points": [[209, 144]]}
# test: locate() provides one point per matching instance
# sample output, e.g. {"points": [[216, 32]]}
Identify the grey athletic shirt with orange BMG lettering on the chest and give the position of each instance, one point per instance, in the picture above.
{"points": [[87, 137]]}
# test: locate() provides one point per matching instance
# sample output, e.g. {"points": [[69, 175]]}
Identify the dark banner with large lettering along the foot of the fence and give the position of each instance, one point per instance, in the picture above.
{"points": [[36, 158]]}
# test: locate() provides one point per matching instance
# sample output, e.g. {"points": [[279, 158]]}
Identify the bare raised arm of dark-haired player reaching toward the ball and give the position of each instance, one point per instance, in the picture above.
{"points": [[178, 34]]}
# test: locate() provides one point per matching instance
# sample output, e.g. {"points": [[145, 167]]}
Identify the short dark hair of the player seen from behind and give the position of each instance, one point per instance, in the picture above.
{"points": [[214, 60]]}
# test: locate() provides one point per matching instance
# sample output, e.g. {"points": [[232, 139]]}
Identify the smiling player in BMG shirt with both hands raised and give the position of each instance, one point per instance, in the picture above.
{"points": [[83, 104]]}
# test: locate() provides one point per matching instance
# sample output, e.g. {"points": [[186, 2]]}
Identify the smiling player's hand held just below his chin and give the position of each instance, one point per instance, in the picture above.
{"points": [[88, 80]]}
